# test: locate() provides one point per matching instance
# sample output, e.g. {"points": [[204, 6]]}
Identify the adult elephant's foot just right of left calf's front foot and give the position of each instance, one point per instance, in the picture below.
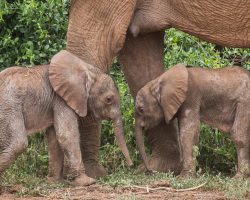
{"points": [[95, 170]]}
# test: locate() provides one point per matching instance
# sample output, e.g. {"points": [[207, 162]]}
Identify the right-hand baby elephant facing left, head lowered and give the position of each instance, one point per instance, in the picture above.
{"points": [[218, 97]]}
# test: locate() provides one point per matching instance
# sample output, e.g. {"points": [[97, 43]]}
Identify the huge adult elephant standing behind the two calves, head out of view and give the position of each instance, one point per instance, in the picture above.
{"points": [[97, 33]]}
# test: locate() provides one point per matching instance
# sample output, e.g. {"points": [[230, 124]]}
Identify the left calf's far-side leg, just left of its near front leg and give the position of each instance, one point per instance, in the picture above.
{"points": [[56, 156]]}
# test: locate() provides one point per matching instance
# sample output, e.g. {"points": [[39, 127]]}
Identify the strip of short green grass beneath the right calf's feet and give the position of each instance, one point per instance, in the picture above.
{"points": [[233, 188]]}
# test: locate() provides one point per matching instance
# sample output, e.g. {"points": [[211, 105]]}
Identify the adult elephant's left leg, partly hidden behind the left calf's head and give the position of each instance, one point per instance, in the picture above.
{"points": [[96, 32]]}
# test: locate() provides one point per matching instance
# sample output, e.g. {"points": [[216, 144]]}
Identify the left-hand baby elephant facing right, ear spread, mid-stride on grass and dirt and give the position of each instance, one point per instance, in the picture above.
{"points": [[33, 99]]}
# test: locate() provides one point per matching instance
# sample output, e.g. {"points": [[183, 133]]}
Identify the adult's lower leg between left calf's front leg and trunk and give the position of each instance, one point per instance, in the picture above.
{"points": [[90, 143]]}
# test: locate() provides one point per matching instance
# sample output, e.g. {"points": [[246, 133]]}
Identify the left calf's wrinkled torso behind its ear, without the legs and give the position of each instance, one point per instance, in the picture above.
{"points": [[27, 91]]}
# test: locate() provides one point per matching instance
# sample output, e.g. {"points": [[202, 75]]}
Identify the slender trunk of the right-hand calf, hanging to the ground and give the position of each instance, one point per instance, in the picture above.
{"points": [[140, 143]]}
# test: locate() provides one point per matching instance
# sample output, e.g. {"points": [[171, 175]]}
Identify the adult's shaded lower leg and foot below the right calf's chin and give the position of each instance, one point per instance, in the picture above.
{"points": [[166, 154]]}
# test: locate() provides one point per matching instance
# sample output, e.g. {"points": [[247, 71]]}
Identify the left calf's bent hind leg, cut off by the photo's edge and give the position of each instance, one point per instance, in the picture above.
{"points": [[13, 140]]}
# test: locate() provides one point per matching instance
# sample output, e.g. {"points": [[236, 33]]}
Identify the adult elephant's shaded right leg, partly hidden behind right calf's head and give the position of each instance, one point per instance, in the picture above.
{"points": [[142, 61]]}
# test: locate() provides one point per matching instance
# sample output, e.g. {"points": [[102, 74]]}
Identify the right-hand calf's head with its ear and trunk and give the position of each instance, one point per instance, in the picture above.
{"points": [[159, 99]]}
